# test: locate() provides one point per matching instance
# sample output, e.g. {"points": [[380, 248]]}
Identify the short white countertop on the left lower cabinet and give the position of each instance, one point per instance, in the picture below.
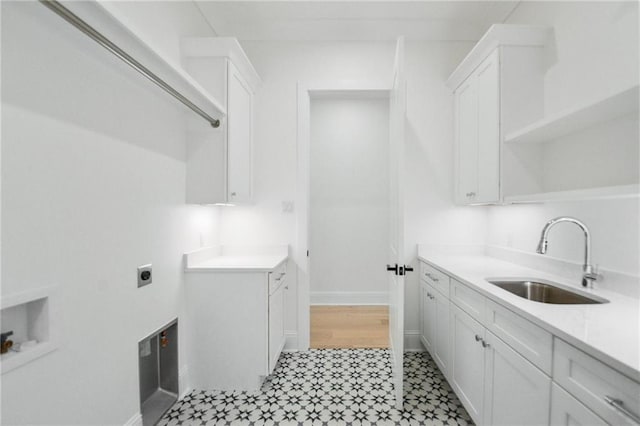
{"points": [[225, 259]]}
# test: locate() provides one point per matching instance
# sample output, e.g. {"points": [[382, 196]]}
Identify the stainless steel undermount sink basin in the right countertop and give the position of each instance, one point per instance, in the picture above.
{"points": [[543, 291]]}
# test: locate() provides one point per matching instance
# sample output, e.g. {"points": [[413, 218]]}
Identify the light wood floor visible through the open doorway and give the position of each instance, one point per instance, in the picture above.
{"points": [[349, 327]]}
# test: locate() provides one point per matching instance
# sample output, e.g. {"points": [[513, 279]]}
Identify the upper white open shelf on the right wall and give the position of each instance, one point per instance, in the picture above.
{"points": [[574, 120]]}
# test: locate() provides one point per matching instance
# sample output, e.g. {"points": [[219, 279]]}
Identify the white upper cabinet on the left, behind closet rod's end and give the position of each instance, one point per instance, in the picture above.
{"points": [[219, 161]]}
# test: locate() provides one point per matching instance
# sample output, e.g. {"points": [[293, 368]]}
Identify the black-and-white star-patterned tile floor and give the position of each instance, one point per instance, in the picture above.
{"points": [[329, 387]]}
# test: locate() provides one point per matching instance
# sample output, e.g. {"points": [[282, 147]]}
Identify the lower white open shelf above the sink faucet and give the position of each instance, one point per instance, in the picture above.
{"points": [[602, 193]]}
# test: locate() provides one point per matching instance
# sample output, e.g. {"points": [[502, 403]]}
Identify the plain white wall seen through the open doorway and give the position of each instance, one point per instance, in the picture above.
{"points": [[349, 199]]}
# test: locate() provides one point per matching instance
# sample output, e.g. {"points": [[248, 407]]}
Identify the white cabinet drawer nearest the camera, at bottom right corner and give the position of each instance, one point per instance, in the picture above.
{"points": [[611, 395]]}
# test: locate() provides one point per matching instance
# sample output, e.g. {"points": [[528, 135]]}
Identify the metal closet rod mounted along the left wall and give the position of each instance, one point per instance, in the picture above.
{"points": [[96, 36]]}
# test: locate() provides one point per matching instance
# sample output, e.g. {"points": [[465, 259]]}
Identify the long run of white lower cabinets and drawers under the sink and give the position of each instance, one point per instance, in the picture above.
{"points": [[500, 364]]}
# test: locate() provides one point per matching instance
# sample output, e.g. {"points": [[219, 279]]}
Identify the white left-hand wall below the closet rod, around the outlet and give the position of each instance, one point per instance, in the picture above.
{"points": [[93, 186]]}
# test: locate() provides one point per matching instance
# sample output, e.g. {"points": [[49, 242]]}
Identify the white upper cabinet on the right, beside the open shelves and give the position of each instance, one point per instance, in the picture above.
{"points": [[496, 87]]}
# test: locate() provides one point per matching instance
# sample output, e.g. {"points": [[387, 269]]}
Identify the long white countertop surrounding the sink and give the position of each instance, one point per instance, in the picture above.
{"points": [[609, 332]]}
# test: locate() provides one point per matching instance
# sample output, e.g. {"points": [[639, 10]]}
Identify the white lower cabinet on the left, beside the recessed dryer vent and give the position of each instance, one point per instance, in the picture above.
{"points": [[235, 327]]}
